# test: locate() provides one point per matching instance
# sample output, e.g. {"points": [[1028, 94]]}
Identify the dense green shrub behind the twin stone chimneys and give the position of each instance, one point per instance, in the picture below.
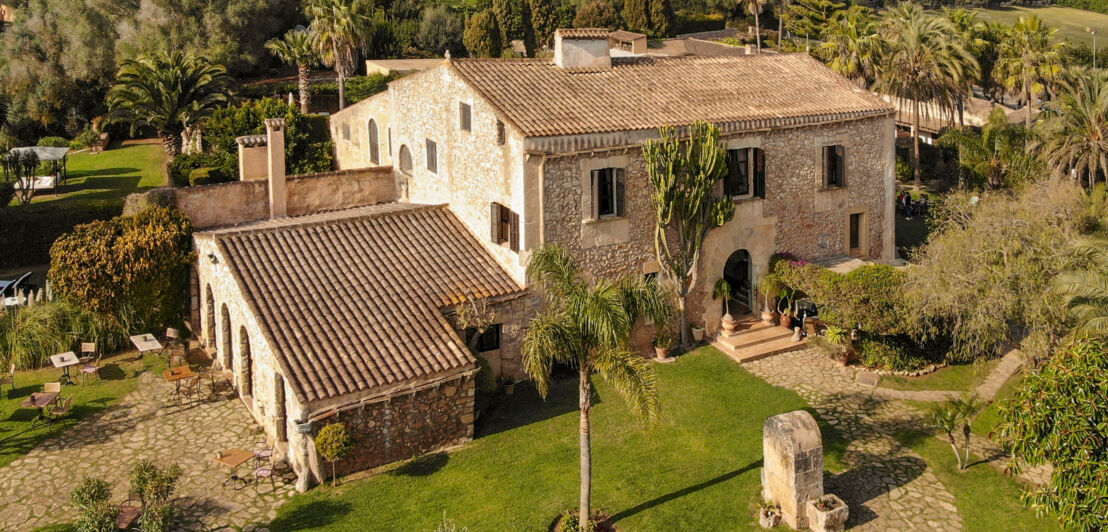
{"points": [[248, 119]]}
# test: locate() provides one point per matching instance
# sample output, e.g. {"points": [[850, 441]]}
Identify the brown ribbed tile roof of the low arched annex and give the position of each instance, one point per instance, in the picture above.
{"points": [[353, 300]]}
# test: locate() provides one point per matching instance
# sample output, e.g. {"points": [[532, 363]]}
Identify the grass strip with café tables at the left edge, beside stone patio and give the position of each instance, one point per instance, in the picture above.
{"points": [[119, 378]]}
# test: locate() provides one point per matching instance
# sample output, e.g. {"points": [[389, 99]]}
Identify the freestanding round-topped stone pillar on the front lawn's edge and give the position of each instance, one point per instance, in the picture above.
{"points": [[793, 467]]}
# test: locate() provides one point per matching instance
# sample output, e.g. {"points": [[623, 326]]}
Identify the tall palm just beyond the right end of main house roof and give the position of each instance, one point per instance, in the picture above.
{"points": [[925, 64]]}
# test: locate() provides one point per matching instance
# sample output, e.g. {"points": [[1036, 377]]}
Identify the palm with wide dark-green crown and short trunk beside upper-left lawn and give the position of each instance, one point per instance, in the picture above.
{"points": [[169, 93]]}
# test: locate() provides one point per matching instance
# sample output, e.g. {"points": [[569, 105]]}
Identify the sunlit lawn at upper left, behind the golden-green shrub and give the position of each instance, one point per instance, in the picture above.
{"points": [[109, 177]]}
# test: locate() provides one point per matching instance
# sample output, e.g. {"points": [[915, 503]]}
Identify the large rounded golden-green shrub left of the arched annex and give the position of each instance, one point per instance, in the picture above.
{"points": [[137, 263]]}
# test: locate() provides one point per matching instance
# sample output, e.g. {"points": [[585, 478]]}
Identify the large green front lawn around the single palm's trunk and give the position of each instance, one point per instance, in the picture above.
{"points": [[699, 470]]}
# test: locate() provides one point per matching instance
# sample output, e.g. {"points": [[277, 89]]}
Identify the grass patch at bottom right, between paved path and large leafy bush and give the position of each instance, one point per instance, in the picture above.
{"points": [[987, 499]]}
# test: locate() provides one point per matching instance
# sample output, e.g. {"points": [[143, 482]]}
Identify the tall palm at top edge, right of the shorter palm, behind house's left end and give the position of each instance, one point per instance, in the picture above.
{"points": [[340, 30]]}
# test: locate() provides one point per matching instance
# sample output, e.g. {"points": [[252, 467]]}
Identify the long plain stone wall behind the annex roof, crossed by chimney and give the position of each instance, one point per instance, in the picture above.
{"points": [[248, 201]]}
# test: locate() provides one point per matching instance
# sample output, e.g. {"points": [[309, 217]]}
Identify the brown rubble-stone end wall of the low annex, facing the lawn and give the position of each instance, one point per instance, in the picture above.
{"points": [[406, 426]]}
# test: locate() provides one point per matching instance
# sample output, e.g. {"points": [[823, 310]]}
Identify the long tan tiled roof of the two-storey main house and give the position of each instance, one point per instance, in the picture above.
{"points": [[642, 94]]}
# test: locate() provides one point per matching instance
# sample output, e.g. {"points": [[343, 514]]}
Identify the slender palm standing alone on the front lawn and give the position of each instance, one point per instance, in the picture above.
{"points": [[588, 326]]}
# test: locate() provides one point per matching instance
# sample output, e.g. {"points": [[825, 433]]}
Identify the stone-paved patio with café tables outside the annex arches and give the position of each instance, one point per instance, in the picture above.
{"points": [[36, 487]]}
